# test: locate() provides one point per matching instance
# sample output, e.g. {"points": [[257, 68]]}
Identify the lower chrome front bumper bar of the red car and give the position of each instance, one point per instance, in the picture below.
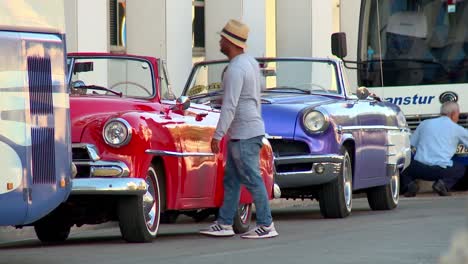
{"points": [[113, 186]]}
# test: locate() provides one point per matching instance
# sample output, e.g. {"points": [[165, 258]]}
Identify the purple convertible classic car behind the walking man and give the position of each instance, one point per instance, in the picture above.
{"points": [[328, 142]]}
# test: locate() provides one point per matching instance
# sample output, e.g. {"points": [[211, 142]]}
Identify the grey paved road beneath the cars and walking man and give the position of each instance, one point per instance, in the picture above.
{"points": [[419, 231]]}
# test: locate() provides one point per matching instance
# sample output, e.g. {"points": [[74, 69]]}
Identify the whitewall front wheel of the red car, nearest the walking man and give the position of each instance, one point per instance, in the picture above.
{"points": [[139, 216]]}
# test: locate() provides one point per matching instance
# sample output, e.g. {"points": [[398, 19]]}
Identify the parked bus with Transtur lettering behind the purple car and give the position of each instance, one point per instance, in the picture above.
{"points": [[413, 53]]}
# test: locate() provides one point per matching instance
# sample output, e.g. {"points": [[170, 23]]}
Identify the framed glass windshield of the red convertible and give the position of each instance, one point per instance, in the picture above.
{"points": [[125, 77]]}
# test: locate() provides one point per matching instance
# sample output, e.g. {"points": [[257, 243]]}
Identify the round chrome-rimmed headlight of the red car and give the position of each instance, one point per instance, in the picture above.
{"points": [[117, 132]]}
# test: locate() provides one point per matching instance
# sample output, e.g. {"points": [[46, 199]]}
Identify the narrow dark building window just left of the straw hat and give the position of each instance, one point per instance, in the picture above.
{"points": [[198, 28]]}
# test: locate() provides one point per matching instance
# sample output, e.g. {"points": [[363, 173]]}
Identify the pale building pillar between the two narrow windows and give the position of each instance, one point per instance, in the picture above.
{"points": [[162, 29]]}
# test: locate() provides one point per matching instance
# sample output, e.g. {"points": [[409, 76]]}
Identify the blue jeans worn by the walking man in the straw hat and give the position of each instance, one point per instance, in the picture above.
{"points": [[243, 167]]}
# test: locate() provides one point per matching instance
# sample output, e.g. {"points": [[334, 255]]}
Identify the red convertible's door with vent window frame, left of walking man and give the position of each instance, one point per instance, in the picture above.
{"points": [[199, 167]]}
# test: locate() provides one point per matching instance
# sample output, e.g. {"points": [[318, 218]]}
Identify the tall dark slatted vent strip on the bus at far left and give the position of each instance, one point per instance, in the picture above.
{"points": [[42, 120]]}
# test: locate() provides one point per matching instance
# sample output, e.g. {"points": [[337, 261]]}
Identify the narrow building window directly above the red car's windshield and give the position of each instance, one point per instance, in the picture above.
{"points": [[117, 25]]}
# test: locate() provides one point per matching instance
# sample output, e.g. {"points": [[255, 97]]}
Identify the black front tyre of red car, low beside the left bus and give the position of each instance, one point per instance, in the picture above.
{"points": [[51, 232]]}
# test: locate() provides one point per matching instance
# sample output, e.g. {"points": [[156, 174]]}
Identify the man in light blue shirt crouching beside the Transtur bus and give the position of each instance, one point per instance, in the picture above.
{"points": [[436, 141]]}
